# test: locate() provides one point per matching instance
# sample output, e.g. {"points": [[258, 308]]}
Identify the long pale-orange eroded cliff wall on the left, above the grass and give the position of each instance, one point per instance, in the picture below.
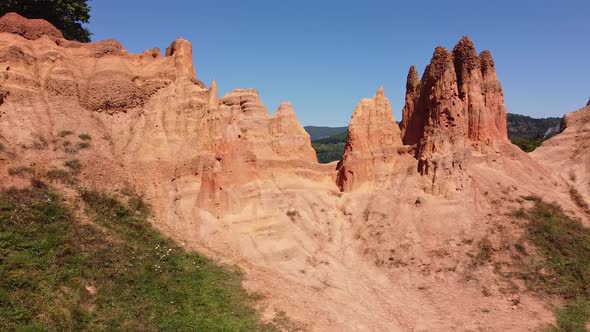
{"points": [[146, 111]]}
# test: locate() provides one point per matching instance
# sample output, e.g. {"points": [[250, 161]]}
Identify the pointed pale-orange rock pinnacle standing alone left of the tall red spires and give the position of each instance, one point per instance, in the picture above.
{"points": [[373, 143]]}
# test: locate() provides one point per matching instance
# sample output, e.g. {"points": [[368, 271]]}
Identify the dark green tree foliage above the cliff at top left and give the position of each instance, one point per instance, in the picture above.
{"points": [[66, 15]]}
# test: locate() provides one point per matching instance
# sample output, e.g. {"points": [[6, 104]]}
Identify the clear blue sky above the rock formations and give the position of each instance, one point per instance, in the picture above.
{"points": [[324, 56]]}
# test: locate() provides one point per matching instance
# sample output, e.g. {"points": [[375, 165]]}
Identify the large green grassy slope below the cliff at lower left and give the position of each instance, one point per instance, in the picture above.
{"points": [[115, 273]]}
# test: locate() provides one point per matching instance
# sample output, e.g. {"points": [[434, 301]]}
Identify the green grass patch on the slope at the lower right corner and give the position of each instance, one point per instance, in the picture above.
{"points": [[564, 270]]}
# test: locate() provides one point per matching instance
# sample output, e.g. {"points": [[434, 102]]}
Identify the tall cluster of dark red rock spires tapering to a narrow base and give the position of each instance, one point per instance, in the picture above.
{"points": [[458, 105]]}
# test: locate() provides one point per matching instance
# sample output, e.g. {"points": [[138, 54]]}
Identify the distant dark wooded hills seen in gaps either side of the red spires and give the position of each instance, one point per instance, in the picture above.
{"points": [[526, 132]]}
